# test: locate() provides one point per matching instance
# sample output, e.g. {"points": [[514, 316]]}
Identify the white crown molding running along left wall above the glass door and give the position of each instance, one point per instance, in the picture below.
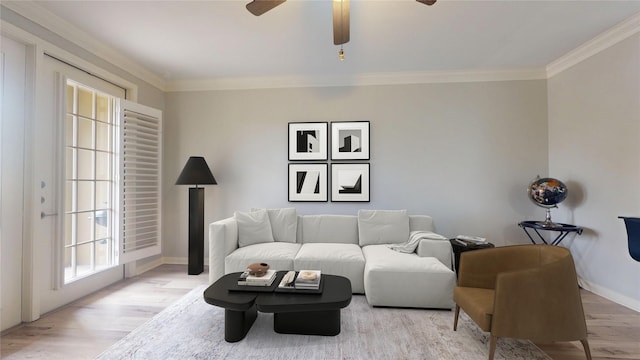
{"points": [[66, 30]]}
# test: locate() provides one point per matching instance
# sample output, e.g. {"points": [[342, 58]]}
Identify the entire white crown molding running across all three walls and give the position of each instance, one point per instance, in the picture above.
{"points": [[55, 24]]}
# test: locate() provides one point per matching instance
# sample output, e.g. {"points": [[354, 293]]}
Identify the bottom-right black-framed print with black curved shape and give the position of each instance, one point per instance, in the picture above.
{"points": [[350, 182]]}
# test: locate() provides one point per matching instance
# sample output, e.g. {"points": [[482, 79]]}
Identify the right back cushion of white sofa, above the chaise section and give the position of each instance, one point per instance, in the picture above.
{"points": [[383, 227]]}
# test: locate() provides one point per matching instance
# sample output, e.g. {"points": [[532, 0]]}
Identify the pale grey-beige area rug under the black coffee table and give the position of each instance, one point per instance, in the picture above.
{"points": [[193, 329]]}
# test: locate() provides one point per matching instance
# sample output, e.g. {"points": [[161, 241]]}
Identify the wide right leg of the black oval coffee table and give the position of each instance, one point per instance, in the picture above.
{"points": [[326, 322]]}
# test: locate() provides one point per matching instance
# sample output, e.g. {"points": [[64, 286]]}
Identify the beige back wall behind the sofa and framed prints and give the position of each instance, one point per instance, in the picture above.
{"points": [[462, 153]]}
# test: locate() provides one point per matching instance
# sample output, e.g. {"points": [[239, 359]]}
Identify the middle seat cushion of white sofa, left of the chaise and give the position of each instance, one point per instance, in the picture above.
{"points": [[334, 259]]}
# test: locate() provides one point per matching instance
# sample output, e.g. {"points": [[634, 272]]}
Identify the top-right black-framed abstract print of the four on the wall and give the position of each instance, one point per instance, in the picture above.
{"points": [[350, 140]]}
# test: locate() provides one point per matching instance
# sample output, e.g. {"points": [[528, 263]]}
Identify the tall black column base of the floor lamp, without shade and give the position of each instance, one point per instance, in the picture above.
{"points": [[196, 231]]}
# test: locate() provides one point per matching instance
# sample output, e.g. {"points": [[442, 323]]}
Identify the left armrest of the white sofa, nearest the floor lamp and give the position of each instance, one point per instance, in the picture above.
{"points": [[223, 239]]}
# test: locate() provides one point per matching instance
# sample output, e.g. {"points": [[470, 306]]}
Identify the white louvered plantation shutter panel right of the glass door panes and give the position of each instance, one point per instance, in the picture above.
{"points": [[140, 181]]}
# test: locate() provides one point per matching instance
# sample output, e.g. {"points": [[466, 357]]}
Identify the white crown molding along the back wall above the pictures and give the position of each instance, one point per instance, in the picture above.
{"points": [[357, 80]]}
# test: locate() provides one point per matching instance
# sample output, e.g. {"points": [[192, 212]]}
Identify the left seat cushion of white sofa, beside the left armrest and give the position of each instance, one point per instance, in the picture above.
{"points": [[279, 256]]}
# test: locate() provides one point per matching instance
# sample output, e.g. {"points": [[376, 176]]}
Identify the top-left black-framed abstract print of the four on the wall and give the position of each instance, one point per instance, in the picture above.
{"points": [[308, 141]]}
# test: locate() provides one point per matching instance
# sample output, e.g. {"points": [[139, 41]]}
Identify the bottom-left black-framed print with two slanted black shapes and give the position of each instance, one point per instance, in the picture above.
{"points": [[308, 182]]}
